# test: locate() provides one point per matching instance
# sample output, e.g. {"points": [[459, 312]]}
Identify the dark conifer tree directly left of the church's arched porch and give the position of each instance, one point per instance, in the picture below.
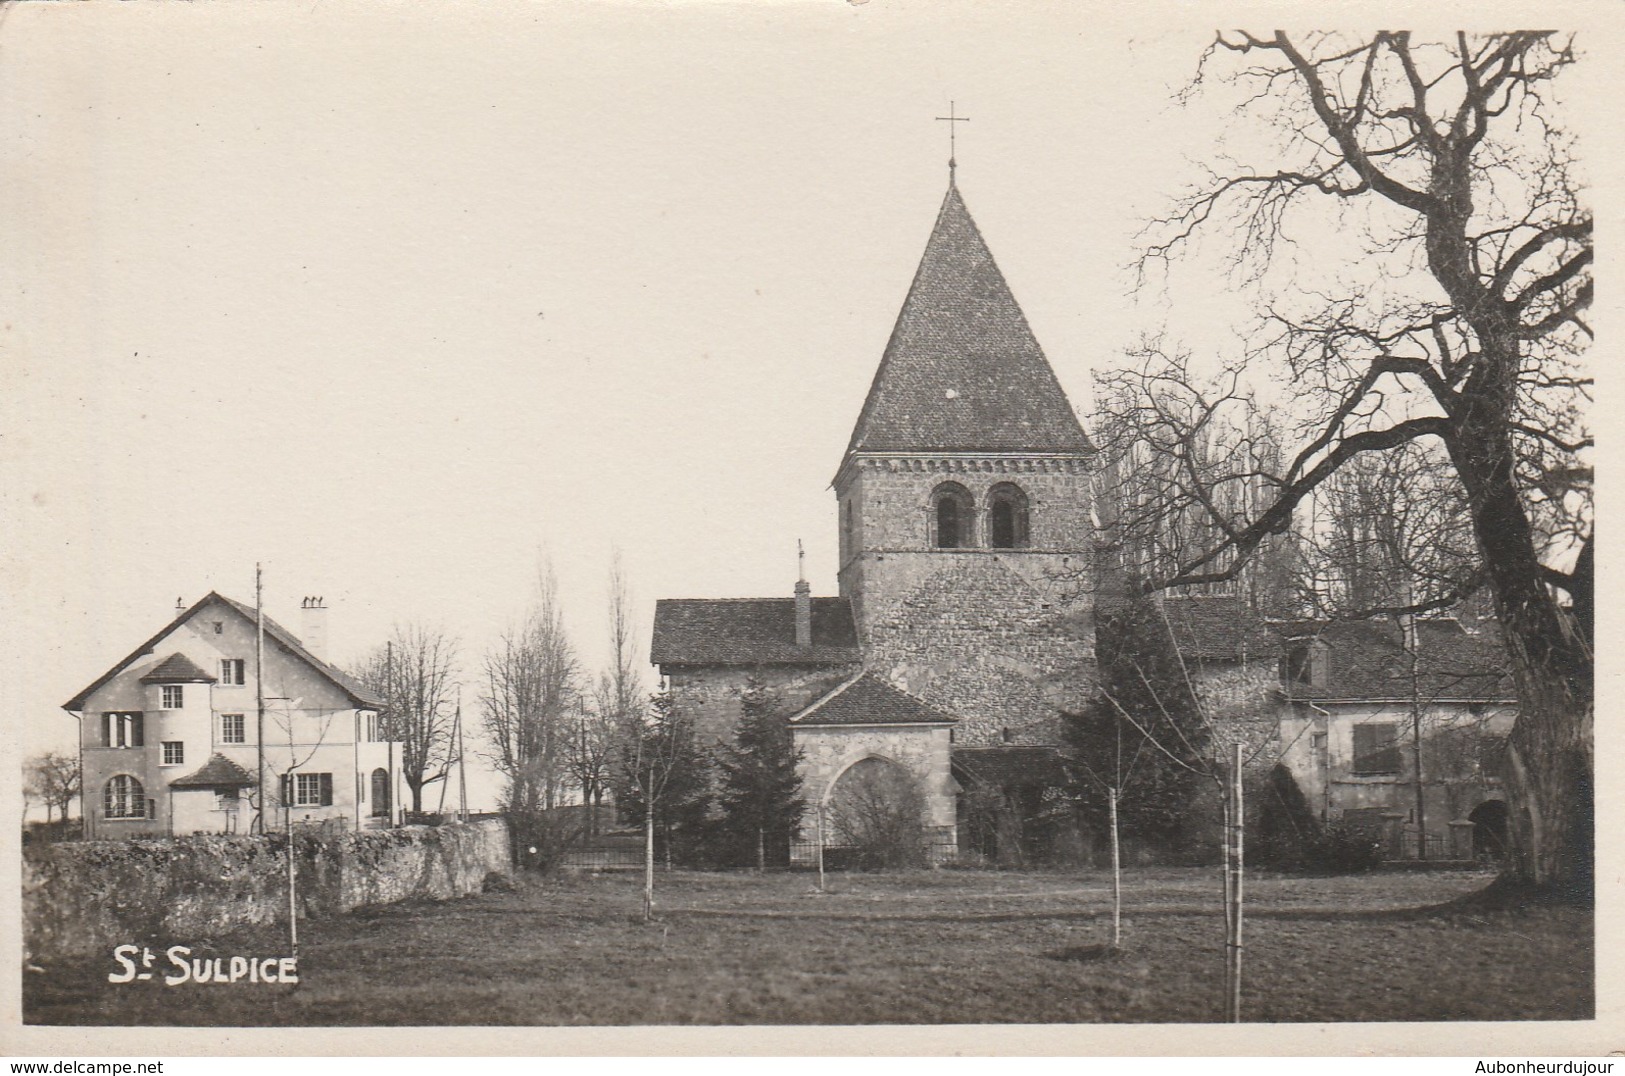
{"points": [[761, 786]]}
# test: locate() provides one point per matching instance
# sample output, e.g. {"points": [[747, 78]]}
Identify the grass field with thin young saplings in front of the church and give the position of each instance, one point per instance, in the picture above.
{"points": [[917, 948]]}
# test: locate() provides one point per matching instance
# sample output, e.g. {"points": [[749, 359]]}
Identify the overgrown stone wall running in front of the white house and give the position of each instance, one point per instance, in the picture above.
{"points": [[85, 898]]}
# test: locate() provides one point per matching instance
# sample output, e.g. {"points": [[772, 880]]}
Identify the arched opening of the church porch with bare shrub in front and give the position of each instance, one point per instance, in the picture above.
{"points": [[877, 817]]}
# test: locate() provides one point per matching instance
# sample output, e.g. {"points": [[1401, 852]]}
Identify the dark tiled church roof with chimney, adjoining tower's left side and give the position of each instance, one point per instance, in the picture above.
{"points": [[752, 631]]}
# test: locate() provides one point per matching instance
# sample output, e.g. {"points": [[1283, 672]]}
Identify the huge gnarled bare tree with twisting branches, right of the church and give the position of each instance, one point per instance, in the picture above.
{"points": [[1455, 189]]}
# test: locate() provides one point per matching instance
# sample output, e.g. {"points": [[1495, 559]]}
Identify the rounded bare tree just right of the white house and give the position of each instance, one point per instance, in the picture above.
{"points": [[415, 674]]}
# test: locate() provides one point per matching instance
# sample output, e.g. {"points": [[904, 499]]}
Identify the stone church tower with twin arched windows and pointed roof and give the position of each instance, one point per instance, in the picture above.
{"points": [[964, 510]]}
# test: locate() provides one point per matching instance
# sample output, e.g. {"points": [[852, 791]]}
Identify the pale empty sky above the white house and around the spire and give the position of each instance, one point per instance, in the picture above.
{"points": [[404, 302]]}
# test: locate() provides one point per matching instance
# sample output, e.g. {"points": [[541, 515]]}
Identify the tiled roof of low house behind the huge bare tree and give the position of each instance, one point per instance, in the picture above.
{"points": [[1367, 661]]}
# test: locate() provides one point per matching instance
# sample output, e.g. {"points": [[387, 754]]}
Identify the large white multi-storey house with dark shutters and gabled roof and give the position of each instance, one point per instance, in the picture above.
{"points": [[171, 737]]}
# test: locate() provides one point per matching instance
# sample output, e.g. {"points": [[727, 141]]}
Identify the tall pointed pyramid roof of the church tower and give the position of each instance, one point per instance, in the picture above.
{"points": [[963, 371]]}
